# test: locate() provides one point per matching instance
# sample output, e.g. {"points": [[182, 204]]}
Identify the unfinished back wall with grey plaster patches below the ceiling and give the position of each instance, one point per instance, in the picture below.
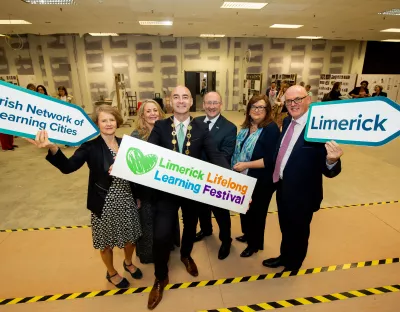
{"points": [[86, 66]]}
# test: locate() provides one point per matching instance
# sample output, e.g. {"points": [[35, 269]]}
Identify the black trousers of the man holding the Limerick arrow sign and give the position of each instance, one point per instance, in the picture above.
{"points": [[295, 223]]}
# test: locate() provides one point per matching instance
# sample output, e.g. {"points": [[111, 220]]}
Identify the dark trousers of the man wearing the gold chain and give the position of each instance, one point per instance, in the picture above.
{"points": [[165, 214]]}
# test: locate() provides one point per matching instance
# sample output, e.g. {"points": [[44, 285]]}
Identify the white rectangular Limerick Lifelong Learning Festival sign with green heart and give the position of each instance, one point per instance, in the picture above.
{"points": [[181, 175]]}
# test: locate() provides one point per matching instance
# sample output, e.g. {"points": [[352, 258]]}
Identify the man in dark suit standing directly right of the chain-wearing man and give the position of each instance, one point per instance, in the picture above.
{"points": [[223, 133]]}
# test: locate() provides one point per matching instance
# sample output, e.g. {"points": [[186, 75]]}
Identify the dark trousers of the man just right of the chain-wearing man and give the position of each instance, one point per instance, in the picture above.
{"points": [[223, 218]]}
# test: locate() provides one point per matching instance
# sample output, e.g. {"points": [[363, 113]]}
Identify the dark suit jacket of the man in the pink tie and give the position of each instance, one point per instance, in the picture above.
{"points": [[302, 176]]}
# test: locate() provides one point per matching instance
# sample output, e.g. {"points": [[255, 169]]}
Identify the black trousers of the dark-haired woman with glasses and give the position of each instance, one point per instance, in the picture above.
{"points": [[253, 222]]}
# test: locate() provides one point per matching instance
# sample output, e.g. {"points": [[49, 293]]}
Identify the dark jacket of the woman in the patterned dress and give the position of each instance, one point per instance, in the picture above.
{"points": [[99, 159]]}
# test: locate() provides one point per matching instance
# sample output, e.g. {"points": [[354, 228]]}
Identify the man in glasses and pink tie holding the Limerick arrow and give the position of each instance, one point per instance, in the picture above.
{"points": [[298, 172]]}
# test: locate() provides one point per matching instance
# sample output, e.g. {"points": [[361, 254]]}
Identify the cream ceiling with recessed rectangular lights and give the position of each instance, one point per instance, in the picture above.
{"points": [[342, 18]]}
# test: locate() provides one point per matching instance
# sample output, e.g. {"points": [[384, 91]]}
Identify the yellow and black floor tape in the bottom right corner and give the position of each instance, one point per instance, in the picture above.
{"points": [[288, 303]]}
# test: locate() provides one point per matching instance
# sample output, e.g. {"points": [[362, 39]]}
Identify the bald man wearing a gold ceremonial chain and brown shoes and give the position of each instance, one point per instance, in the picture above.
{"points": [[183, 134]]}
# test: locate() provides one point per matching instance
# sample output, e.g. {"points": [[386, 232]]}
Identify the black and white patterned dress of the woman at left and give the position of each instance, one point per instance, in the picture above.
{"points": [[120, 222]]}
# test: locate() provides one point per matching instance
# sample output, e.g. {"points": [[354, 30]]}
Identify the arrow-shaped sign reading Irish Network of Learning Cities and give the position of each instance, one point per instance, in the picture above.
{"points": [[24, 112]]}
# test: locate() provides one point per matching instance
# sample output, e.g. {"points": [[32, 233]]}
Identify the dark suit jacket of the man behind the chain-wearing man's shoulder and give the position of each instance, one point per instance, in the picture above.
{"points": [[224, 135]]}
